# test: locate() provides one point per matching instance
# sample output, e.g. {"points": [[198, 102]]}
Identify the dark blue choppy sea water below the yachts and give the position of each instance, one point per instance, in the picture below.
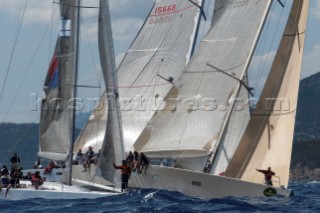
{"points": [[306, 199]]}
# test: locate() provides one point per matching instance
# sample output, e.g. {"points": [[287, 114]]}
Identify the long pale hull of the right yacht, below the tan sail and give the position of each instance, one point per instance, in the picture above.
{"points": [[199, 184]]}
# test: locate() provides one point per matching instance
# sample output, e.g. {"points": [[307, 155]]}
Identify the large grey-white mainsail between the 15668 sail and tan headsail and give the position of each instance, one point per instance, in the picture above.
{"points": [[198, 105]]}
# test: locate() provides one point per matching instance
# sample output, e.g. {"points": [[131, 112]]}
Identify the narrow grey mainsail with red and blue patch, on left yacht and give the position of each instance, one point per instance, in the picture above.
{"points": [[56, 115]]}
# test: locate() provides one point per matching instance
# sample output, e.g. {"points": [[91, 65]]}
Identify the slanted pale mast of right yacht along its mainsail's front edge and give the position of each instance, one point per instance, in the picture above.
{"points": [[242, 78]]}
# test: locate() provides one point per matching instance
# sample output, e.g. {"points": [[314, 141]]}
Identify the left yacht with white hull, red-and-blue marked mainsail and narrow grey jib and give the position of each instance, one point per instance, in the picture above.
{"points": [[57, 120]]}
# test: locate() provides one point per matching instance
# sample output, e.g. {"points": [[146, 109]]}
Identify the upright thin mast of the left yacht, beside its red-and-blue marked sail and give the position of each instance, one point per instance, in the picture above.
{"points": [[76, 36]]}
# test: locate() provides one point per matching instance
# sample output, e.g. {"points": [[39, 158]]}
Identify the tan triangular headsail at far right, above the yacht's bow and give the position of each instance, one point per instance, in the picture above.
{"points": [[268, 138]]}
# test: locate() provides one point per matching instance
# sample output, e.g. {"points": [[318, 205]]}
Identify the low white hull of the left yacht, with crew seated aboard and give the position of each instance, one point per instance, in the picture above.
{"points": [[54, 187]]}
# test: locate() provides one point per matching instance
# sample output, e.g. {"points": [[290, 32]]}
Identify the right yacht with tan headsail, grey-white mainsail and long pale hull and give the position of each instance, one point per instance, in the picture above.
{"points": [[201, 143]]}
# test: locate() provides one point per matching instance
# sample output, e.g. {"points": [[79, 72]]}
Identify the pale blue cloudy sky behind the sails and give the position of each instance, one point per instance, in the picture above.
{"points": [[24, 59]]}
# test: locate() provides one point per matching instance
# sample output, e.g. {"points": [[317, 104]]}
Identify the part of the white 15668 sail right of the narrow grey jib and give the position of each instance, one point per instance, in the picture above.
{"points": [[155, 59]]}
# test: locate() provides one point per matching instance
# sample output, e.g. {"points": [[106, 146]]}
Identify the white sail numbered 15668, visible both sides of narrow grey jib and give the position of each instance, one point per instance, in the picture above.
{"points": [[175, 26]]}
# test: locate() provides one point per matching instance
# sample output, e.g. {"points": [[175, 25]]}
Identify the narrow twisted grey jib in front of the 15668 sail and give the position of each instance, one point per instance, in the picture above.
{"points": [[112, 147]]}
